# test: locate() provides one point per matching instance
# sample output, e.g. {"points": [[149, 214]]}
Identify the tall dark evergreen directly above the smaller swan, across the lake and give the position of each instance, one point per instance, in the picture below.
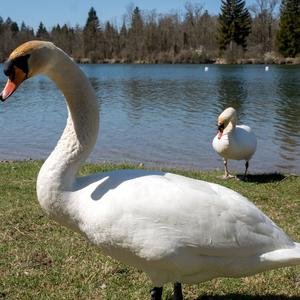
{"points": [[235, 24]]}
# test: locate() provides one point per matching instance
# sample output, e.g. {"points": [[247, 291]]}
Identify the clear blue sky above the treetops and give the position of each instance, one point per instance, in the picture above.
{"points": [[73, 12]]}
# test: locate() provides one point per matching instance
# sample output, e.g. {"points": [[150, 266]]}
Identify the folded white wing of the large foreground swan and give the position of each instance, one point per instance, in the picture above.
{"points": [[156, 215]]}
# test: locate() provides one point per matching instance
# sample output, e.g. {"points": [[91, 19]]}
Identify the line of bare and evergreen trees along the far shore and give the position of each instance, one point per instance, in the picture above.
{"points": [[260, 34]]}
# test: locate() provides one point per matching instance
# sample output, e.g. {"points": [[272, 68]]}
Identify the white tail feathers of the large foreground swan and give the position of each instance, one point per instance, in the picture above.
{"points": [[283, 257]]}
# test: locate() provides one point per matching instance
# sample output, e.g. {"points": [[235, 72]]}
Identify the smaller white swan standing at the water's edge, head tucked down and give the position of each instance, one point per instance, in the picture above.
{"points": [[233, 141]]}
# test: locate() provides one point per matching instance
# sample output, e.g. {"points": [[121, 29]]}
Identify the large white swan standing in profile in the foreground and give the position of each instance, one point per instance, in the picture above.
{"points": [[175, 228]]}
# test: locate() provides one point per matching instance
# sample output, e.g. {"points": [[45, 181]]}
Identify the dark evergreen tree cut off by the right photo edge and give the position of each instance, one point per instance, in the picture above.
{"points": [[288, 36]]}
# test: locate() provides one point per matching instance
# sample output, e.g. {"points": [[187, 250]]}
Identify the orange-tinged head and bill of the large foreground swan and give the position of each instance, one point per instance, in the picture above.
{"points": [[24, 62]]}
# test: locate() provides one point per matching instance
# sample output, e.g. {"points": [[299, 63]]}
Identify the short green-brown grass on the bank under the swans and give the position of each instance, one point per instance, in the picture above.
{"points": [[40, 259]]}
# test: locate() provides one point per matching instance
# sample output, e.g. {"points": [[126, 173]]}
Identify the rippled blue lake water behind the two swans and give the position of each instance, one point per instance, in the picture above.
{"points": [[164, 115]]}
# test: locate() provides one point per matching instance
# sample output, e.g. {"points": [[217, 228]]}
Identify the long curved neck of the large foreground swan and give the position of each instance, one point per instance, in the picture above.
{"points": [[79, 136]]}
